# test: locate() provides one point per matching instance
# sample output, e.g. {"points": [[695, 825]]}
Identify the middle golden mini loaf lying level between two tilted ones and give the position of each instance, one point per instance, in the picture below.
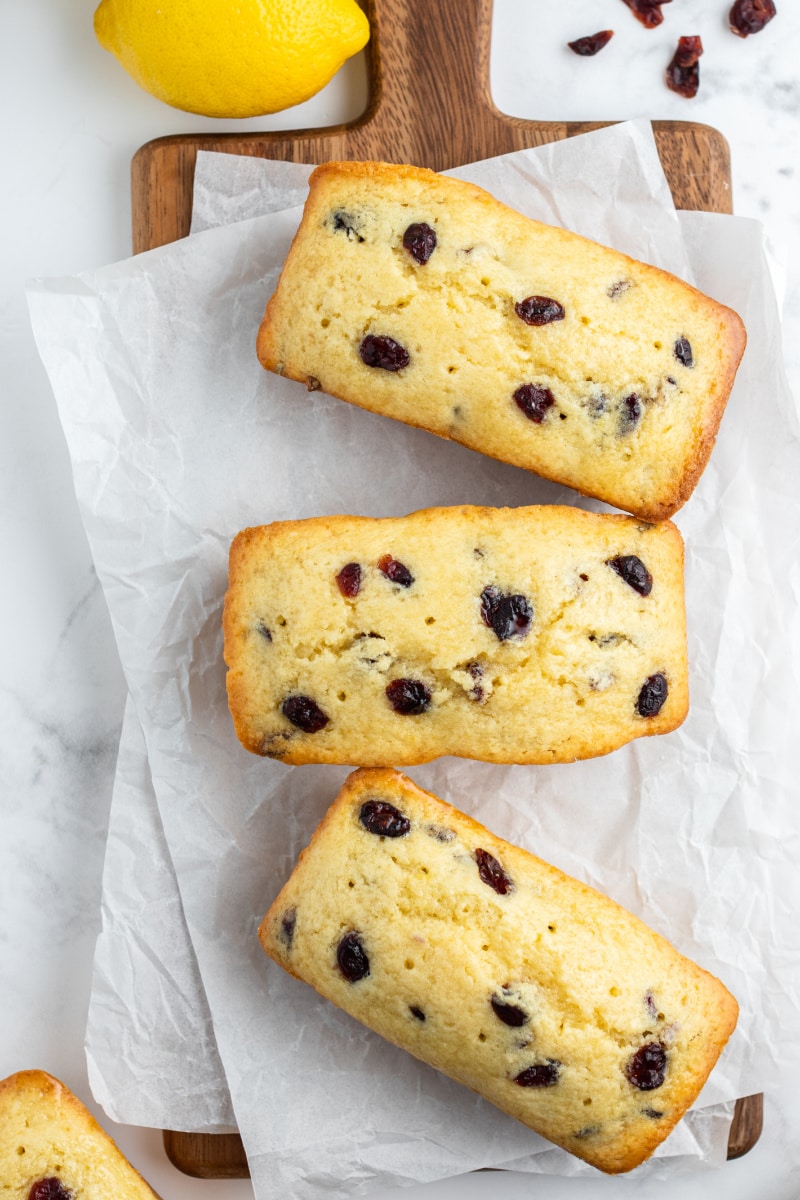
{"points": [[512, 635]]}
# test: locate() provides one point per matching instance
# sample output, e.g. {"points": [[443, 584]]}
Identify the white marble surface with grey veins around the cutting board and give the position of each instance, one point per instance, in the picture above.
{"points": [[74, 122]]}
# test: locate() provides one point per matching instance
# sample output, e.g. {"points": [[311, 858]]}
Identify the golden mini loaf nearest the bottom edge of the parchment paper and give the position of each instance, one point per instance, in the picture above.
{"points": [[533, 989]]}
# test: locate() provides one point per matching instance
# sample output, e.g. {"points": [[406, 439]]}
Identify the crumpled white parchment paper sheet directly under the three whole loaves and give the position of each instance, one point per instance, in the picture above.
{"points": [[179, 440]]}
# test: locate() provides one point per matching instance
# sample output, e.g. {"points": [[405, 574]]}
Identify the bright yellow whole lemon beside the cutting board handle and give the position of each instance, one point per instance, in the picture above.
{"points": [[232, 58]]}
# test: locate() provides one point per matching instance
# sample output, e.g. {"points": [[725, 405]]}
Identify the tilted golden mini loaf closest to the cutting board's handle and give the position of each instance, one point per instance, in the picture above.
{"points": [[425, 299]]}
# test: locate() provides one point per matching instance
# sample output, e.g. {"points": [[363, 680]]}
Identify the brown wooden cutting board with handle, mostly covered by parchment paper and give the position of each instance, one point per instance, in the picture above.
{"points": [[430, 105]]}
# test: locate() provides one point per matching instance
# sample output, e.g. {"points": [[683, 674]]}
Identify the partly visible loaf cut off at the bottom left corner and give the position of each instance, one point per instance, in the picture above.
{"points": [[52, 1148]]}
